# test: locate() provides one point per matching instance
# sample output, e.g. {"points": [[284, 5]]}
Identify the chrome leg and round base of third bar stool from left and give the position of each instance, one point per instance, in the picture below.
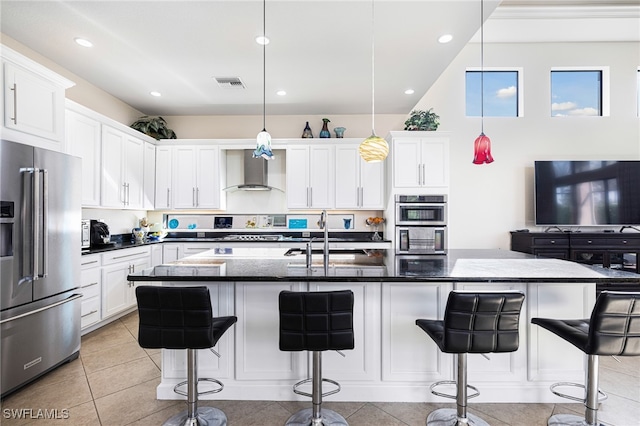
{"points": [[459, 416]]}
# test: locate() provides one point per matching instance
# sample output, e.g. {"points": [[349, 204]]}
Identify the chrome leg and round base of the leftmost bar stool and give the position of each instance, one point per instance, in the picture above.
{"points": [[194, 416]]}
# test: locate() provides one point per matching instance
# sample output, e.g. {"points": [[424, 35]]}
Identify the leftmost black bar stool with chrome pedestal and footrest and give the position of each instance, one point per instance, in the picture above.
{"points": [[182, 318]]}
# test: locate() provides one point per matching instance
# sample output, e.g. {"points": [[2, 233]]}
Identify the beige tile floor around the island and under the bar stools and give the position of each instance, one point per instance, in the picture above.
{"points": [[114, 380]]}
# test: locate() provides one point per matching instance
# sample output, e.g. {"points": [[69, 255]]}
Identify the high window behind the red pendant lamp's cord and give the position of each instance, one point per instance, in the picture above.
{"points": [[502, 97]]}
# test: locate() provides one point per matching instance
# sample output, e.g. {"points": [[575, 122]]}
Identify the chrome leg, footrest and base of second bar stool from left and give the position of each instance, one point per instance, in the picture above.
{"points": [[316, 416]]}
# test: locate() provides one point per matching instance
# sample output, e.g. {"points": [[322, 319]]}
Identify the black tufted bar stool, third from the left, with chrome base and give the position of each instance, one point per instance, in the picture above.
{"points": [[474, 322]]}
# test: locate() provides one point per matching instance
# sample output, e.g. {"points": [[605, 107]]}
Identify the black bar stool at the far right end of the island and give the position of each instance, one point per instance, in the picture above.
{"points": [[613, 329]]}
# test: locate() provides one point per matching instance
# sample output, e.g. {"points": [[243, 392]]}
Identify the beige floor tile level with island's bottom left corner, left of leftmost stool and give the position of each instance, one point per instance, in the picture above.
{"points": [[122, 376]]}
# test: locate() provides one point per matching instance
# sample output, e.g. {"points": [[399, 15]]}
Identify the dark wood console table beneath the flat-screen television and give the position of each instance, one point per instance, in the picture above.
{"points": [[609, 249]]}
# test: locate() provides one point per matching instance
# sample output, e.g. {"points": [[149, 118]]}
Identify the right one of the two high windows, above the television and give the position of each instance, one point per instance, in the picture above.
{"points": [[578, 92]]}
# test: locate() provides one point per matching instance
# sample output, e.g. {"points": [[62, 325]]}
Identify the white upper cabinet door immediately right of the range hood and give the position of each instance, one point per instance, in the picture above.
{"points": [[298, 177]]}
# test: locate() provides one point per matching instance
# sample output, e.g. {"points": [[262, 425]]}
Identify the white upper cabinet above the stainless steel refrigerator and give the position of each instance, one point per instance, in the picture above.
{"points": [[33, 102]]}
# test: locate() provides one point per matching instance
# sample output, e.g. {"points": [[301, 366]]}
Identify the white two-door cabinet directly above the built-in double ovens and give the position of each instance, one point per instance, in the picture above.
{"points": [[420, 159]]}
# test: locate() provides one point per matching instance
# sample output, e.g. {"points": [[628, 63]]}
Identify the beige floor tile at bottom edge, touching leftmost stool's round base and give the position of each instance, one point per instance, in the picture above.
{"points": [[131, 404]]}
